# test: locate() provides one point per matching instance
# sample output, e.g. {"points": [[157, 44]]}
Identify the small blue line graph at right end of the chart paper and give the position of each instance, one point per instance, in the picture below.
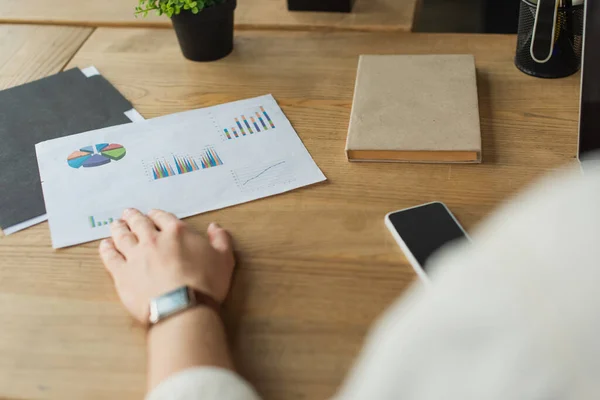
{"points": [[263, 176]]}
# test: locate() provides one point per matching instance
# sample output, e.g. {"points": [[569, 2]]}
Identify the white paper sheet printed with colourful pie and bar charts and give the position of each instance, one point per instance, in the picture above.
{"points": [[185, 163]]}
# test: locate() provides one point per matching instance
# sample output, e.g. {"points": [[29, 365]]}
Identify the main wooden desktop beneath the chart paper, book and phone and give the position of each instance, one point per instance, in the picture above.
{"points": [[316, 266]]}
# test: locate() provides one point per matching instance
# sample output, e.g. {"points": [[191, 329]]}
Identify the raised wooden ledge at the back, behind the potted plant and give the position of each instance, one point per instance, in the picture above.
{"points": [[368, 15]]}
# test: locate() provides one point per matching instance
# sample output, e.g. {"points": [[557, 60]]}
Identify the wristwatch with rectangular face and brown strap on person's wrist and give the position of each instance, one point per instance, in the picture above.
{"points": [[179, 300]]}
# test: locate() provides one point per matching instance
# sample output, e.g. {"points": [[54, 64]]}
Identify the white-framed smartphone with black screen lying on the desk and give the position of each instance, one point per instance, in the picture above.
{"points": [[421, 230]]}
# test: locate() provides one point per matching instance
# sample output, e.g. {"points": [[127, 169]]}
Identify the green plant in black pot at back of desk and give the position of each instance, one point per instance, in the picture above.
{"points": [[204, 28]]}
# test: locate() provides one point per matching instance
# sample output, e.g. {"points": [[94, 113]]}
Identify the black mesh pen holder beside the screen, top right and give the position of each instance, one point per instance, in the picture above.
{"points": [[550, 37]]}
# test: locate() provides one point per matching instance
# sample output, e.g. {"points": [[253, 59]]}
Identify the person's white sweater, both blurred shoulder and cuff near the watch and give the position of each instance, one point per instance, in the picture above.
{"points": [[515, 315]]}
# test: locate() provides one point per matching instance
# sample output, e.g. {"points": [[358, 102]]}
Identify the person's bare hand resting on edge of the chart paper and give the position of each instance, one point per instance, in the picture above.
{"points": [[151, 255]]}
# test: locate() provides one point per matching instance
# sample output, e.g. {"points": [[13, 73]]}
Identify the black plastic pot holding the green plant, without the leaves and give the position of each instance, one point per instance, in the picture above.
{"points": [[208, 35]]}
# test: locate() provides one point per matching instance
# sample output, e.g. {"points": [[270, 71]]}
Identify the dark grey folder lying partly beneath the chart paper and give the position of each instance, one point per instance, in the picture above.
{"points": [[56, 106]]}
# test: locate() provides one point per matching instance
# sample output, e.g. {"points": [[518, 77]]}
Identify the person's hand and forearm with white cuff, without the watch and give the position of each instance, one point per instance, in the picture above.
{"points": [[149, 256]]}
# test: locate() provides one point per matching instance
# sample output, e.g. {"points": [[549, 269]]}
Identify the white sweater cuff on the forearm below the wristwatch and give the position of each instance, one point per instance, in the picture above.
{"points": [[204, 383]]}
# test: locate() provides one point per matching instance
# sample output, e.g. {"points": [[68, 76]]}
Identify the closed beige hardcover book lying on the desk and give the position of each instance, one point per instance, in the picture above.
{"points": [[415, 108]]}
